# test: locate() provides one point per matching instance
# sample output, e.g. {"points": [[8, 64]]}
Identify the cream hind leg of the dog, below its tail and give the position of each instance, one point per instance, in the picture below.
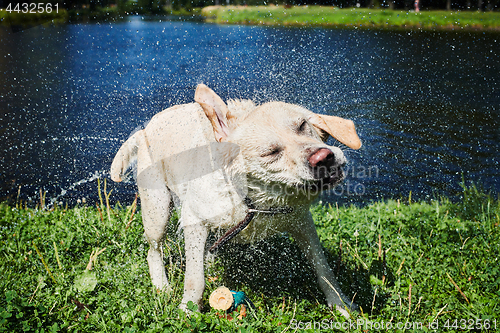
{"points": [[156, 205]]}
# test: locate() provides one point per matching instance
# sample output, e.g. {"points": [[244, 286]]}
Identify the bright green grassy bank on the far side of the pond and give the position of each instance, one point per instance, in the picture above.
{"points": [[351, 17]]}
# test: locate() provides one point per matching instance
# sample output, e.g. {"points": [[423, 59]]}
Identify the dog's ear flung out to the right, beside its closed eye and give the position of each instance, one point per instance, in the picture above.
{"points": [[340, 129]]}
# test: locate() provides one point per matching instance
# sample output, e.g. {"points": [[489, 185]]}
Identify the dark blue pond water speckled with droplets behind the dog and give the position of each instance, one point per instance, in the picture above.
{"points": [[426, 104]]}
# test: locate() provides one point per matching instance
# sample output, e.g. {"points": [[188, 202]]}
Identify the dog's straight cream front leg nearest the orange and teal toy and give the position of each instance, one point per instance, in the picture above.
{"points": [[194, 281]]}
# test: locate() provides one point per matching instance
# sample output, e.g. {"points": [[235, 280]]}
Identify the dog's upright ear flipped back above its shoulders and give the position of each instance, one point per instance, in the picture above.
{"points": [[215, 109]]}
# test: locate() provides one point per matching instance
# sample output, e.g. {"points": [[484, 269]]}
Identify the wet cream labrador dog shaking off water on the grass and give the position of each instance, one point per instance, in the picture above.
{"points": [[252, 170]]}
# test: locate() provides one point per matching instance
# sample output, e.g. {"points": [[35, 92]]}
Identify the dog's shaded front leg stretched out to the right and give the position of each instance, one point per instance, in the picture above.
{"points": [[307, 239]]}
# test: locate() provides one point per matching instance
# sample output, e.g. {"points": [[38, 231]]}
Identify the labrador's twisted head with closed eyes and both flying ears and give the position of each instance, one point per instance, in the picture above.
{"points": [[282, 145]]}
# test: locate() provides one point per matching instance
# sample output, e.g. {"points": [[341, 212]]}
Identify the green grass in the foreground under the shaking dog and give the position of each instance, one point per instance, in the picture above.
{"points": [[405, 262]]}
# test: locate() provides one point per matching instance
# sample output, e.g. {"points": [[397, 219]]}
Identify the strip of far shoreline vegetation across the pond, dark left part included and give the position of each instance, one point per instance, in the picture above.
{"points": [[275, 15]]}
